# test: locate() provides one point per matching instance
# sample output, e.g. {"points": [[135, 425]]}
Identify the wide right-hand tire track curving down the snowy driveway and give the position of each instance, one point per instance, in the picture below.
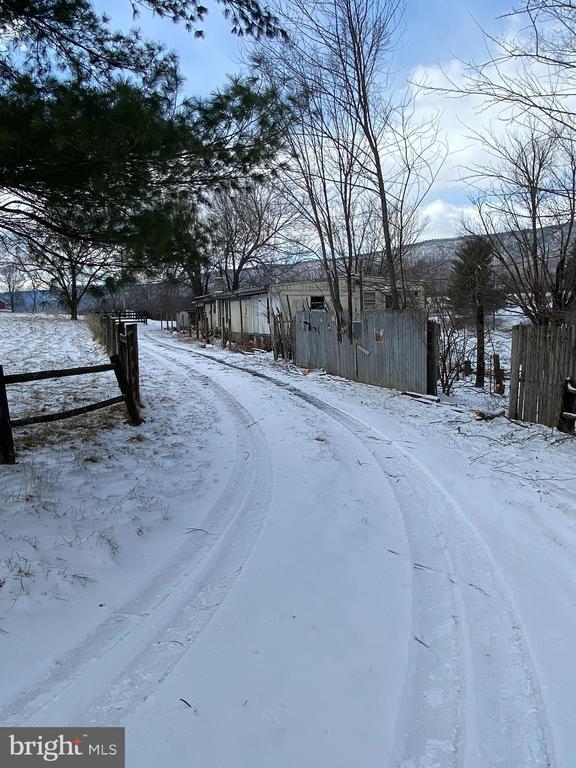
{"points": [[473, 698]]}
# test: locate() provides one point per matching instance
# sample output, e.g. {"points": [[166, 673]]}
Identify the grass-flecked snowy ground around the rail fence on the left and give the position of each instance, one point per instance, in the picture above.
{"points": [[84, 491]]}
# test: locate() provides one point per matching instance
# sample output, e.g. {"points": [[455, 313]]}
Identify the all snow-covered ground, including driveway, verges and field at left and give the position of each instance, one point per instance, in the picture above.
{"points": [[280, 569]]}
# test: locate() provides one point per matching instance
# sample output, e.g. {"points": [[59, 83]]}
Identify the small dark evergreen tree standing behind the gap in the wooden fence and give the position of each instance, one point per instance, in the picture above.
{"points": [[474, 293]]}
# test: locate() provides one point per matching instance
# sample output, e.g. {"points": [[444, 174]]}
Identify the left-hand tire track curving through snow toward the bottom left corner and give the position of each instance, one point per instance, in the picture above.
{"points": [[136, 647]]}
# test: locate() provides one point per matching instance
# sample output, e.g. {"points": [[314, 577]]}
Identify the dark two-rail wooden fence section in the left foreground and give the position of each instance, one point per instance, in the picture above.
{"points": [[7, 452]]}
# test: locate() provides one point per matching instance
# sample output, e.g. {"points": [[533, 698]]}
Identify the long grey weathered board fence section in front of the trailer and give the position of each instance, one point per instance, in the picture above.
{"points": [[390, 349]]}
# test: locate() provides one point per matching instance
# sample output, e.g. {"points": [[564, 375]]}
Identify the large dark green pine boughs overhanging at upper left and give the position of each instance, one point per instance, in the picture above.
{"points": [[95, 137]]}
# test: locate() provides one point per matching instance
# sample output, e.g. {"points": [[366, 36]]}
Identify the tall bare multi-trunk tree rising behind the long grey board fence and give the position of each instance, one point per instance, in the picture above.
{"points": [[353, 142]]}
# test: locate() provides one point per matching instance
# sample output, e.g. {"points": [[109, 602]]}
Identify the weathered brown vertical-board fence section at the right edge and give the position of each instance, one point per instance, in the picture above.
{"points": [[543, 358]]}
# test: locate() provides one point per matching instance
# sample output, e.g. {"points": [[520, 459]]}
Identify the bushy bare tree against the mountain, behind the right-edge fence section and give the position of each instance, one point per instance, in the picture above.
{"points": [[528, 193]]}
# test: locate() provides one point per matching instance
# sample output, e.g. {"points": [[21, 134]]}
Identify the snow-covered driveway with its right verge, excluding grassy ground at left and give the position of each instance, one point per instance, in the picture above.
{"points": [[362, 586]]}
